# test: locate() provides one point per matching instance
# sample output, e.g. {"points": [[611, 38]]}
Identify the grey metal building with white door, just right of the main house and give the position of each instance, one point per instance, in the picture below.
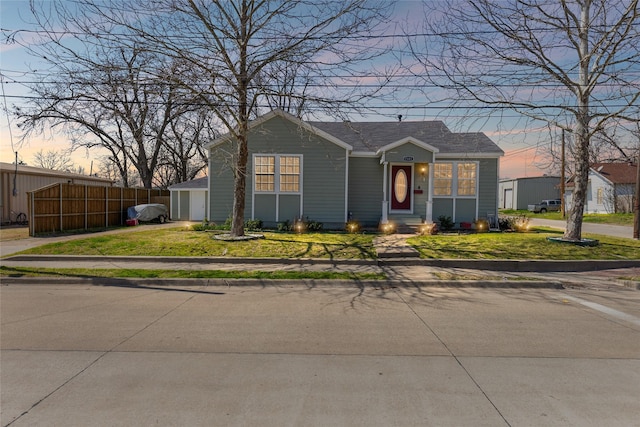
{"points": [[518, 193]]}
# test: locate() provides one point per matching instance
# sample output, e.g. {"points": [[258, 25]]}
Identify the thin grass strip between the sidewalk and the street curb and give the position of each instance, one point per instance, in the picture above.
{"points": [[184, 274]]}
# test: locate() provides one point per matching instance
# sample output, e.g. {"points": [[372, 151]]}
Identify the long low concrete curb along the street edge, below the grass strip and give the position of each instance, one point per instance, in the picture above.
{"points": [[309, 283]]}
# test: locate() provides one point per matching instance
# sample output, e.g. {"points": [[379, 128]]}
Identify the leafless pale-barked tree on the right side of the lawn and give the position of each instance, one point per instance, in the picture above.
{"points": [[573, 64]]}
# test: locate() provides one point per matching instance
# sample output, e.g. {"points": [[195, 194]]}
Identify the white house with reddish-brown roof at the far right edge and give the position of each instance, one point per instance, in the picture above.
{"points": [[611, 188]]}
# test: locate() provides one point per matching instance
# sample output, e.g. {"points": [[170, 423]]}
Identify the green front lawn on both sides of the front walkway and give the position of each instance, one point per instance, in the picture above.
{"points": [[181, 242]]}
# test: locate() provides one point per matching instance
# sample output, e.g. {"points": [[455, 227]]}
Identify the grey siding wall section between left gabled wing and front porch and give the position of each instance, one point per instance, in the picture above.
{"points": [[365, 190]]}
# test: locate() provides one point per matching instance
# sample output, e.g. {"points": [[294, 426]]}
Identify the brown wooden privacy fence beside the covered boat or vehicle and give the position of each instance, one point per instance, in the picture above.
{"points": [[68, 207]]}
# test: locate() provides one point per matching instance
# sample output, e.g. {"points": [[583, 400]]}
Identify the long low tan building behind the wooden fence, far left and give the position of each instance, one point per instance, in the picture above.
{"points": [[16, 182]]}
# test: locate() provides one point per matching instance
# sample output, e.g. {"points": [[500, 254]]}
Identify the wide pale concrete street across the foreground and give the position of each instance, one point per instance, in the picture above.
{"points": [[81, 355]]}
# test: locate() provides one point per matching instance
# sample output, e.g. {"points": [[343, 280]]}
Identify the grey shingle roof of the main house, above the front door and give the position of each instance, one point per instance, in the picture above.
{"points": [[371, 136]]}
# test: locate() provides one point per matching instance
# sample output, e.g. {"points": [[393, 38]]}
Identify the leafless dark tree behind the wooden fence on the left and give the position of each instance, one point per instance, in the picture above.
{"points": [[105, 94]]}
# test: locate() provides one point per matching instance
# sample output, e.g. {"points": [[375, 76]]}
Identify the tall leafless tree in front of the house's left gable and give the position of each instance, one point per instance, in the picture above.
{"points": [[231, 49]]}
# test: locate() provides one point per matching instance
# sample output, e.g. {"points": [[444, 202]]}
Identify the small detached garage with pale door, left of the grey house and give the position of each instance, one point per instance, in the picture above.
{"points": [[190, 200]]}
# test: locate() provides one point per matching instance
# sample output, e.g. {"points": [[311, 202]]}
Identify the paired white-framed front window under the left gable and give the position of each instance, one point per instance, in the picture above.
{"points": [[277, 173]]}
